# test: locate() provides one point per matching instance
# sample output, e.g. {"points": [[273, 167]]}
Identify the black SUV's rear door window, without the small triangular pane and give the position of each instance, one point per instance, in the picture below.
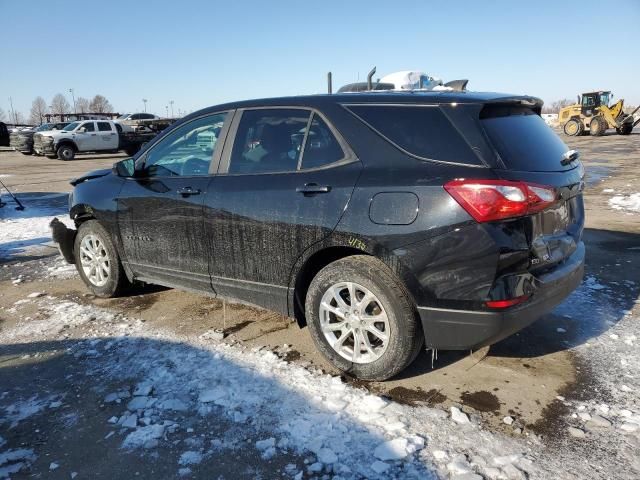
{"points": [[269, 141]]}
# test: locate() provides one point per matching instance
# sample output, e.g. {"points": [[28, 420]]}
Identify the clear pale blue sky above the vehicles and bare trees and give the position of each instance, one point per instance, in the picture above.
{"points": [[199, 53]]}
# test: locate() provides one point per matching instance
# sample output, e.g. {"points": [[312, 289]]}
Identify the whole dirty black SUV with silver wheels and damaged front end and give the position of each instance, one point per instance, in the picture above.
{"points": [[382, 221]]}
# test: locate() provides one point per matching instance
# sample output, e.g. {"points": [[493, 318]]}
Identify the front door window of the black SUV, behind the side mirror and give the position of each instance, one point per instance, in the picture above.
{"points": [[186, 151]]}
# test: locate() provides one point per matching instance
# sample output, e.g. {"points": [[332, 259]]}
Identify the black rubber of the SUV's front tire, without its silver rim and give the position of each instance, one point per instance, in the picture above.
{"points": [[116, 277]]}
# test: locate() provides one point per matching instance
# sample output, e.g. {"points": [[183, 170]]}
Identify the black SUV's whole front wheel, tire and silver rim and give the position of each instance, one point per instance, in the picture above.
{"points": [[98, 262]]}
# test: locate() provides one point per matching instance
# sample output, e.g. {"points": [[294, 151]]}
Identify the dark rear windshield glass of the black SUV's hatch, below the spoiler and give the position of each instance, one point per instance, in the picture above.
{"points": [[523, 140]]}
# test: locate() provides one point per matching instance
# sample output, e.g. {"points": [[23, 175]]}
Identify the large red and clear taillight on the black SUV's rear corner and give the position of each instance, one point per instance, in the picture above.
{"points": [[490, 200]]}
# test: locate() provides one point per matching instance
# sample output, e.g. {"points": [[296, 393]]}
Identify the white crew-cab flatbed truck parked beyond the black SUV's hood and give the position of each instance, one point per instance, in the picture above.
{"points": [[88, 136]]}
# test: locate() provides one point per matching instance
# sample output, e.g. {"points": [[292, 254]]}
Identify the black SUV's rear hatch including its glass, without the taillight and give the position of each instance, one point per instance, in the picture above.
{"points": [[529, 151]]}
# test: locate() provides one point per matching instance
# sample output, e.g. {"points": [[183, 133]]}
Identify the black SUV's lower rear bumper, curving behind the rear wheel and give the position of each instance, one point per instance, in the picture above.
{"points": [[464, 329]]}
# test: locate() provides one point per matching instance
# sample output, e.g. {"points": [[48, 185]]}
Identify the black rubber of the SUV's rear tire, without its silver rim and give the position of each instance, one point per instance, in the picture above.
{"points": [[401, 315]]}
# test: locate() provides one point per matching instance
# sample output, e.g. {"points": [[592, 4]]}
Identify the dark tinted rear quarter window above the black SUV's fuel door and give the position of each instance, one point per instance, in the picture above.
{"points": [[420, 130]]}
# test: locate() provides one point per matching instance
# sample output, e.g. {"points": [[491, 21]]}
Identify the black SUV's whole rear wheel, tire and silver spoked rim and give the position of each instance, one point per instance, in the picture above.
{"points": [[388, 301]]}
